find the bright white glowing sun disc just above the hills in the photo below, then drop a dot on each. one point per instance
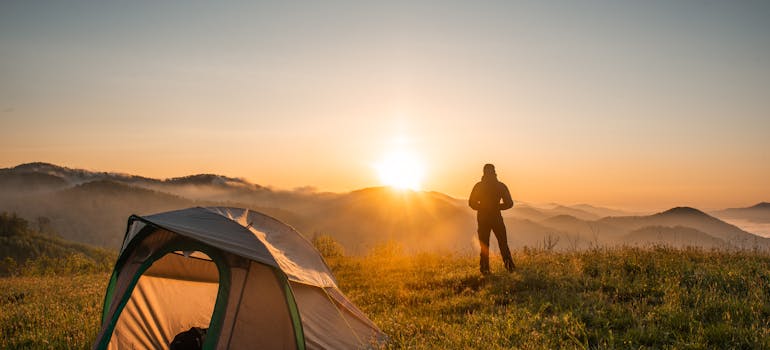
(401, 170)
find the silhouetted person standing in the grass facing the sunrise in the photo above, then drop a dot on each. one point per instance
(488, 198)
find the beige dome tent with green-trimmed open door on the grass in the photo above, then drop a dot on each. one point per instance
(251, 280)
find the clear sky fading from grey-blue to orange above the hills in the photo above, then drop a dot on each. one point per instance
(637, 105)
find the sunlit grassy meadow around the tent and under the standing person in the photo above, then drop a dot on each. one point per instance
(624, 298)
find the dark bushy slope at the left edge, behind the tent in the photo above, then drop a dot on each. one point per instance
(25, 250)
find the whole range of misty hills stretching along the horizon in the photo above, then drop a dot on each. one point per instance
(92, 207)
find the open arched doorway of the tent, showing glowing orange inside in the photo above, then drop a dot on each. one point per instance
(177, 292)
